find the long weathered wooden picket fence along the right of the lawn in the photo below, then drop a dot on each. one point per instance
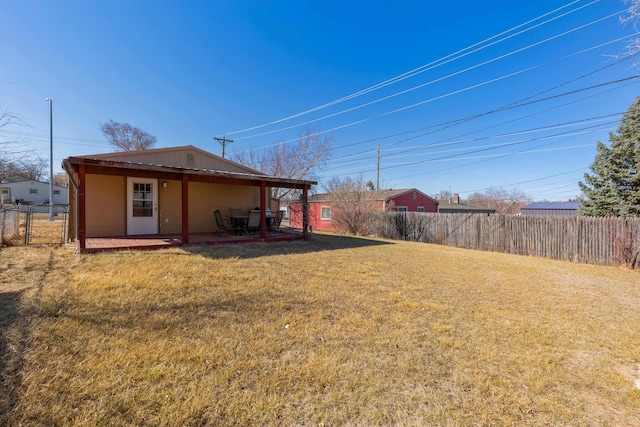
(602, 241)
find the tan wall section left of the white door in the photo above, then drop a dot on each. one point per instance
(106, 205)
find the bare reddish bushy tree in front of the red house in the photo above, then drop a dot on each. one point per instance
(353, 205)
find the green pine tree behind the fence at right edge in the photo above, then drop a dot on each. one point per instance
(613, 187)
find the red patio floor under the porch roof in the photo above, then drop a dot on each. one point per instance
(159, 241)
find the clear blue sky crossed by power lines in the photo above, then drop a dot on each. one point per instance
(512, 94)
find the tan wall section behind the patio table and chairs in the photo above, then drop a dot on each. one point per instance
(204, 198)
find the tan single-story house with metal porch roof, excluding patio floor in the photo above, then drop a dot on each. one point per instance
(163, 191)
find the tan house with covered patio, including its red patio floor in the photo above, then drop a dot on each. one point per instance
(177, 202)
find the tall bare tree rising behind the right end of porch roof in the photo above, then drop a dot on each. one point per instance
(295, 160)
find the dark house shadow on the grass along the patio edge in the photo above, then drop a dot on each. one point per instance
(317, 243)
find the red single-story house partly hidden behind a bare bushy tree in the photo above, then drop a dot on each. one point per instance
(320, 206)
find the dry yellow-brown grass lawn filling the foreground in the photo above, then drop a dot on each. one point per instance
(335, 331)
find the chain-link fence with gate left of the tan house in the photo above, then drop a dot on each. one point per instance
(34, 225)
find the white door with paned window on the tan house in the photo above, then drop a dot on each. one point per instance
(142, 206)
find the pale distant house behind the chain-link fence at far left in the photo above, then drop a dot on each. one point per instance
(31, 193)
